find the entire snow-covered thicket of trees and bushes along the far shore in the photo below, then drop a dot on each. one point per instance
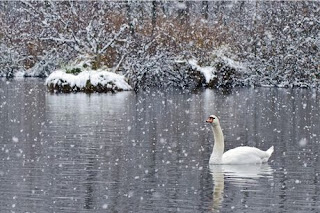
(276, 42)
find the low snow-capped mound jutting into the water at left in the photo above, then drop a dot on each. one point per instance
(87, 81)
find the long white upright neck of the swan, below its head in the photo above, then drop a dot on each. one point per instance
(218, 147)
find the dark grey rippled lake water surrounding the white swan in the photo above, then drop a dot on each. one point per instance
(149, 152)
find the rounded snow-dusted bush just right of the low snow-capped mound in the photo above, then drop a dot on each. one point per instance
(162, 71)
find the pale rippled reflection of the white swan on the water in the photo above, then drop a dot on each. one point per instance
(241, 175)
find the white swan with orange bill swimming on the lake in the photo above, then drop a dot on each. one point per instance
(238, 155)
